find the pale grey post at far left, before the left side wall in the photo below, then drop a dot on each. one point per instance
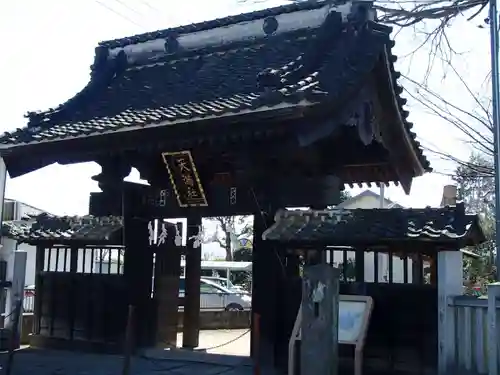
(16, 291)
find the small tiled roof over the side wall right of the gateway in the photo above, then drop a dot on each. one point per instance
(376, 226)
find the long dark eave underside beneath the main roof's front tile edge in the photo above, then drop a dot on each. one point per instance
(217, 132)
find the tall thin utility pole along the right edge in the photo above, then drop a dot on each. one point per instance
(496, 123)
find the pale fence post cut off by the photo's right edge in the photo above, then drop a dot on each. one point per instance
(493, 327)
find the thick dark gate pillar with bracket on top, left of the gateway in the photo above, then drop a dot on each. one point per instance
(126, 199)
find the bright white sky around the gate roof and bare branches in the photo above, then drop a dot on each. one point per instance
(48, 47)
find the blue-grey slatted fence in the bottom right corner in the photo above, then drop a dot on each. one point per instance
(476, 344)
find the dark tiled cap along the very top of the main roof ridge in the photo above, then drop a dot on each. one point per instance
(215, 23)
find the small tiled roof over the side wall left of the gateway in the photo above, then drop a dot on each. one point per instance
(45, 227)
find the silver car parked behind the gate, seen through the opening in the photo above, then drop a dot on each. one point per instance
(215, 296)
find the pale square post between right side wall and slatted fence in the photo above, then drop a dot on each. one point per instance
(450, 283)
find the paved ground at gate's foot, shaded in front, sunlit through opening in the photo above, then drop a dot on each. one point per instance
(50, 362)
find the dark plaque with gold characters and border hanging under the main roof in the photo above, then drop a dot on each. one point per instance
(184, 179)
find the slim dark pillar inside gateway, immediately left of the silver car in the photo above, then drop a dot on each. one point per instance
(191, 326)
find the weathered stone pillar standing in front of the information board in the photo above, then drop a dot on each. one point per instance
(320, 300)
